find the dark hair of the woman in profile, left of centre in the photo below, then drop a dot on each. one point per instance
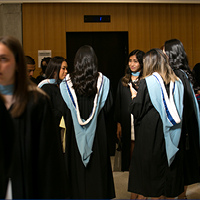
(53, 67)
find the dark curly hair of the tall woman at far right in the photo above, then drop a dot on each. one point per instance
(178, 58)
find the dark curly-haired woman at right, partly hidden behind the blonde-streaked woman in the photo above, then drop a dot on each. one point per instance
(178, 61)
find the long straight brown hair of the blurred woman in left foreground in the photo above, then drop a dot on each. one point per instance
(22, 81)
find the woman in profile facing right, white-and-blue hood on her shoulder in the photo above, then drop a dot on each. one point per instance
(56, 71)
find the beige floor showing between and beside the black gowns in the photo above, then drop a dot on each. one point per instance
(121, 184)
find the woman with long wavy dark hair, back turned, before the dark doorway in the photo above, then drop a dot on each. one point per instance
(88, 98)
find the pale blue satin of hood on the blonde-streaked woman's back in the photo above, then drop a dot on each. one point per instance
(172, 133)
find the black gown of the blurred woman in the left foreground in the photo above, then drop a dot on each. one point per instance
(38, 170)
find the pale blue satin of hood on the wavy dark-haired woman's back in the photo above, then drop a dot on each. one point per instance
(84, 133)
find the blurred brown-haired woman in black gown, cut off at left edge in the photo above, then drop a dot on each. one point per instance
(37, 167)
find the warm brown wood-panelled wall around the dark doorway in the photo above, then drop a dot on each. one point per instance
(148, 25)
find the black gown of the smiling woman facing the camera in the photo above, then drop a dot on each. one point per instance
(123, 116)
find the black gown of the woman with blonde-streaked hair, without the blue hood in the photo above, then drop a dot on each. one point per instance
(150, 174)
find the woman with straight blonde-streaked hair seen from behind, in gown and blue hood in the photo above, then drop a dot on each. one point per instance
(158, 108)
